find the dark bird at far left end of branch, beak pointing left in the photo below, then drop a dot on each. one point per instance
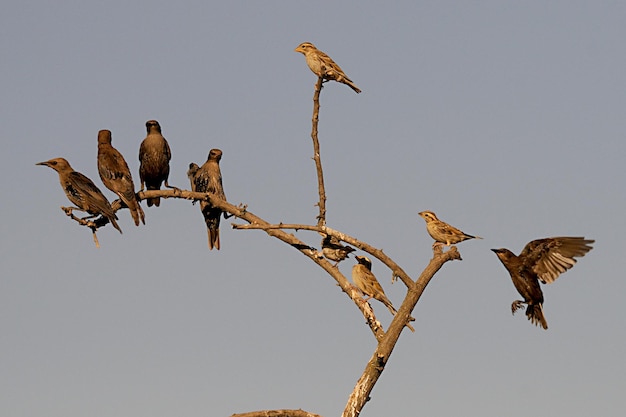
(81, 191)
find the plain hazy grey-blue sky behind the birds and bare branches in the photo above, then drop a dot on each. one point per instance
(505, 118)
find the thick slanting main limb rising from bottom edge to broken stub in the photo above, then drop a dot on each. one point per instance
(376, 365)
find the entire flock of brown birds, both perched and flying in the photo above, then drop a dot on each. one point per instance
(541, 260)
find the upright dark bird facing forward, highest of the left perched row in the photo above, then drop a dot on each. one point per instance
(154, 158)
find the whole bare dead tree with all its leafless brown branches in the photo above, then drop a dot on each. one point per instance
(386, 339)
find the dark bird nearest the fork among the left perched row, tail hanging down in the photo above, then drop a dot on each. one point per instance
(208, 179)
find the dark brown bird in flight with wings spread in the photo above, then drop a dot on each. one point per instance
(540, 260)
